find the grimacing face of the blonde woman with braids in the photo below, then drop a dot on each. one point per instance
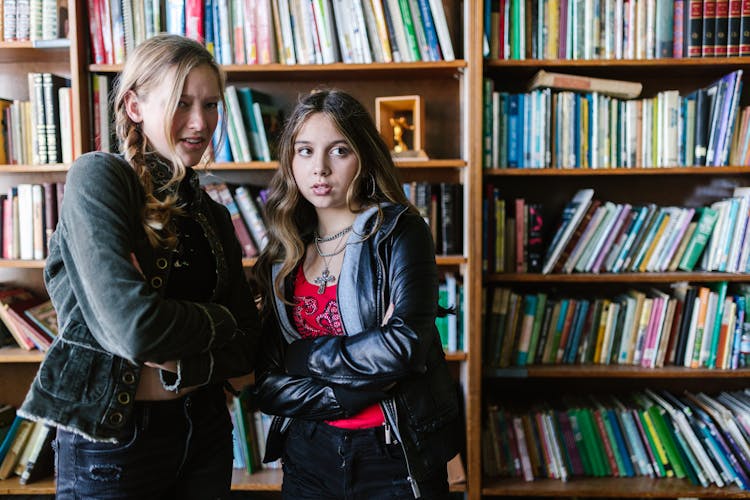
(194, 119)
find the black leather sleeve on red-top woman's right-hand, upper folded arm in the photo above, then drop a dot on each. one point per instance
(382, 355)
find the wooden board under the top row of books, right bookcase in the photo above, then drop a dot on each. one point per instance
(664, 64)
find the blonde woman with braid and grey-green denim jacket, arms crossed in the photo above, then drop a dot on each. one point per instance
(155, 313)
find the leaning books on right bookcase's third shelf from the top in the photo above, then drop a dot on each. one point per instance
(595, 236)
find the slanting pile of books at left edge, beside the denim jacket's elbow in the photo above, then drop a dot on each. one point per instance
(26, 320)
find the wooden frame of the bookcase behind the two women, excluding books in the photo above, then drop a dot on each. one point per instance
(448, 89)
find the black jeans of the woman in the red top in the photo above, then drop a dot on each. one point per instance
(325, 462)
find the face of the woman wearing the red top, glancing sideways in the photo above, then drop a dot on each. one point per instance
(324, 163)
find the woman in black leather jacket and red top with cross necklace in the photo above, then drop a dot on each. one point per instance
(351, 363)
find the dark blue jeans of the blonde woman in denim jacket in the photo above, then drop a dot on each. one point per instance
(179, 449)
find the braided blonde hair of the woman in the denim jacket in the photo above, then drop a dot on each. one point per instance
(161, 56)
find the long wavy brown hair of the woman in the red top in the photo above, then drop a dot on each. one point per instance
(291, 218)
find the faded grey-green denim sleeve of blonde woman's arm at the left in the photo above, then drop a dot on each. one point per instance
(99, 223)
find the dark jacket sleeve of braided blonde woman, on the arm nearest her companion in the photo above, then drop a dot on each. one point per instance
(237, 356)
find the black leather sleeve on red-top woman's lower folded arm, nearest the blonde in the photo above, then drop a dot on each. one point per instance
(279, 393)
